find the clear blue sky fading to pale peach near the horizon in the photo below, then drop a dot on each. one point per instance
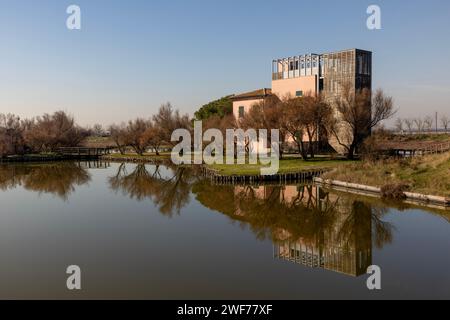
(131, 56)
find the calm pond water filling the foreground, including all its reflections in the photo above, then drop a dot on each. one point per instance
(156, 232)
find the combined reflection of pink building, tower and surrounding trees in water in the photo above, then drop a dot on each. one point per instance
(307, 224)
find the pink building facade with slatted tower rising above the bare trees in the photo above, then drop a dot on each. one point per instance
(313, 74)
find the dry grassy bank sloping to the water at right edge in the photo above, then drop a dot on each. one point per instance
(427, 175)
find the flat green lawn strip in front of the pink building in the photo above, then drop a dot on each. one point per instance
(287, 165)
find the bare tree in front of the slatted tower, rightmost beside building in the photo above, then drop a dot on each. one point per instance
(359, 112)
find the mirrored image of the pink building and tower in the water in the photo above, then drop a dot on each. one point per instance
(342, 244)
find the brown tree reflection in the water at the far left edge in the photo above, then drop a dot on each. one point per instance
(56, 178)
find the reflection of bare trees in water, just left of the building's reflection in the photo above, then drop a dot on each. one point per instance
(170, 193)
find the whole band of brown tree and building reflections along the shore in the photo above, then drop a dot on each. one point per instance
(307, 225)
